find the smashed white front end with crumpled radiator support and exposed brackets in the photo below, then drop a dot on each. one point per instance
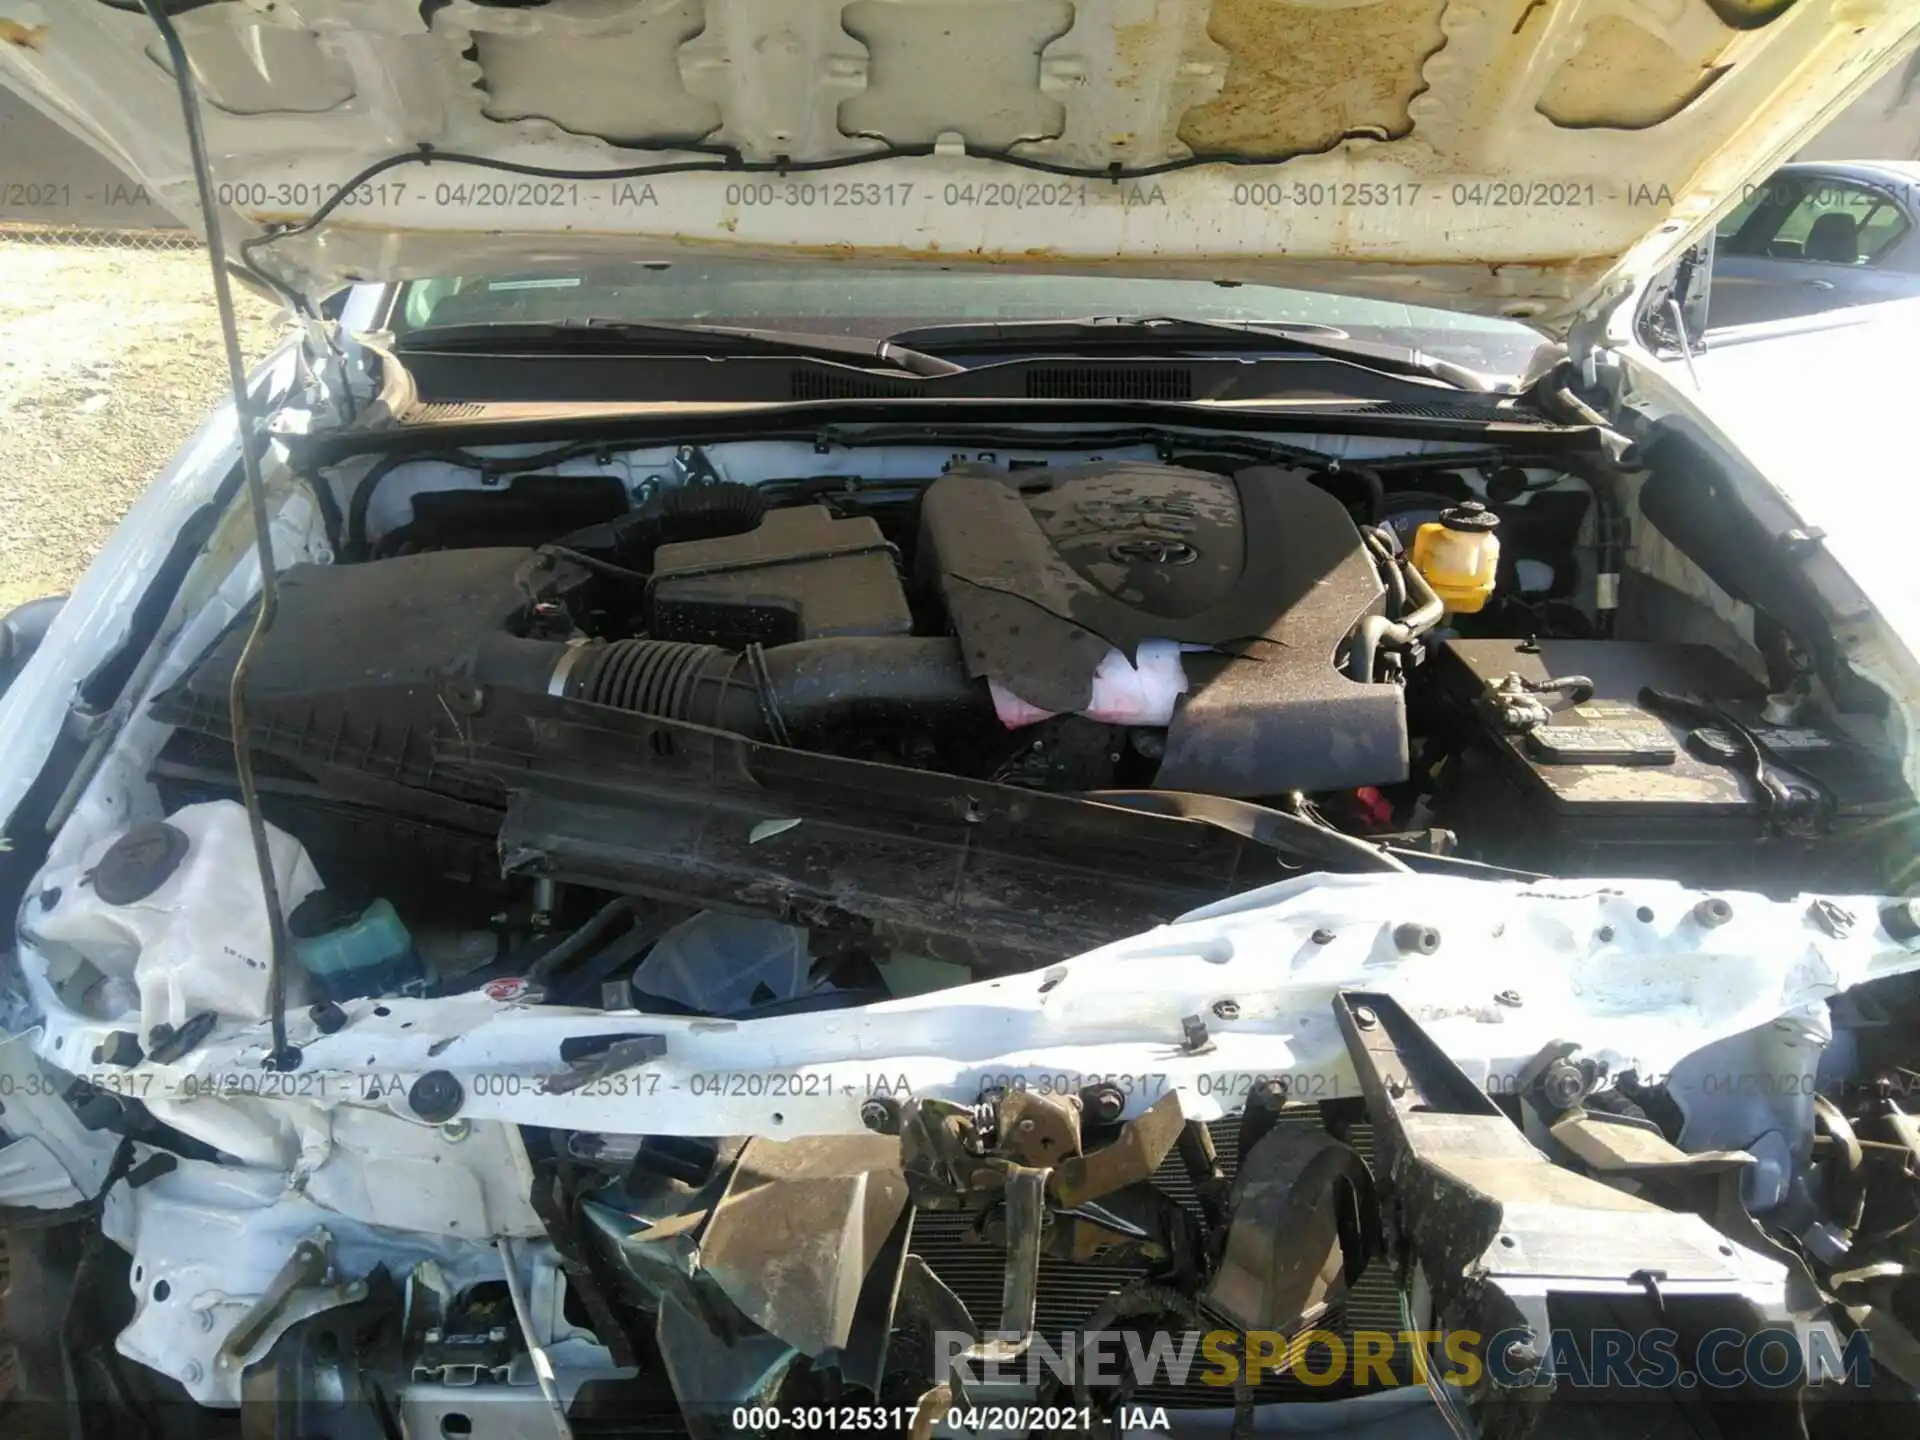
(1443, 1155)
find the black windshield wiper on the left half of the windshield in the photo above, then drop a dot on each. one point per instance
(602, 337)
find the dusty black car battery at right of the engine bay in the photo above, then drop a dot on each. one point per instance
(1610, 784)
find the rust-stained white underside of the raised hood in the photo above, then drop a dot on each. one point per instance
(1510, 158)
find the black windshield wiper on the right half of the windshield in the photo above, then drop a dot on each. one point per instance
(1161, 335)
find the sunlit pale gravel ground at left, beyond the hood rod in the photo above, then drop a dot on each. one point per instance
(110, 358)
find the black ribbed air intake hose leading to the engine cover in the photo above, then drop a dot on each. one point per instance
(802, 692)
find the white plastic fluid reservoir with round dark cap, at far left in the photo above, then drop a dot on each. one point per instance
(176, 909)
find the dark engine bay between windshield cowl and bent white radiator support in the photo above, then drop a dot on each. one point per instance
(997, 713)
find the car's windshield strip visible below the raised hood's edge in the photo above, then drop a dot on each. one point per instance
(873, 304)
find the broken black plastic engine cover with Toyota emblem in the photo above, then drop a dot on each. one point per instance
(1262, 573)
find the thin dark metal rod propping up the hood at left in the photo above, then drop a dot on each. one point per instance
(283, 1057)
